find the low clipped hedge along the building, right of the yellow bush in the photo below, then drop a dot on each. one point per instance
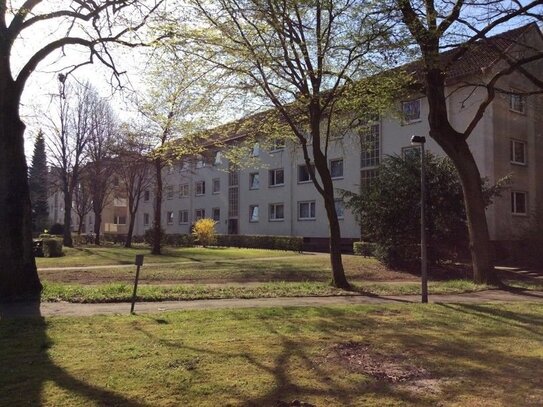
(293, 243)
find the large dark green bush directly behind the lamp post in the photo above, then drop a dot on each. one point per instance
(389, 210)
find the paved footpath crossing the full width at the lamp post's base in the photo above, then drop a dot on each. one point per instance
(47, 309)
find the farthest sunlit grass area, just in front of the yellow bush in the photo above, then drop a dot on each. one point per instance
(112, 255)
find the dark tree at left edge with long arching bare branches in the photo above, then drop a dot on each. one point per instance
(92, 25)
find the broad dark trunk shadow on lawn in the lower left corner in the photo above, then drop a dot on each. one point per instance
(25, 364)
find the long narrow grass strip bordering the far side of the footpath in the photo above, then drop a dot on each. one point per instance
(123, 292)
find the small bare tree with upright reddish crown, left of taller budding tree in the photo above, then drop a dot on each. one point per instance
(134, 169)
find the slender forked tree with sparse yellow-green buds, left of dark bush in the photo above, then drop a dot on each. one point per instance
(301, 57)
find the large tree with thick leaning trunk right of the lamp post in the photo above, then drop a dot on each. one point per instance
(465, 27)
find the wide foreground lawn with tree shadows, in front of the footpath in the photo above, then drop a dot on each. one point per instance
(393, 355)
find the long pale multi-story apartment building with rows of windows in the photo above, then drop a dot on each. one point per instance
(276, 197)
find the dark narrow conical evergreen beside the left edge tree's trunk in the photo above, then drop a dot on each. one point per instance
(38, 184)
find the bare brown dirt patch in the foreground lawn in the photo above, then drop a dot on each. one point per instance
(391, 368)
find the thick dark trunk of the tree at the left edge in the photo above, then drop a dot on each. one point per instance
(18, 274)
